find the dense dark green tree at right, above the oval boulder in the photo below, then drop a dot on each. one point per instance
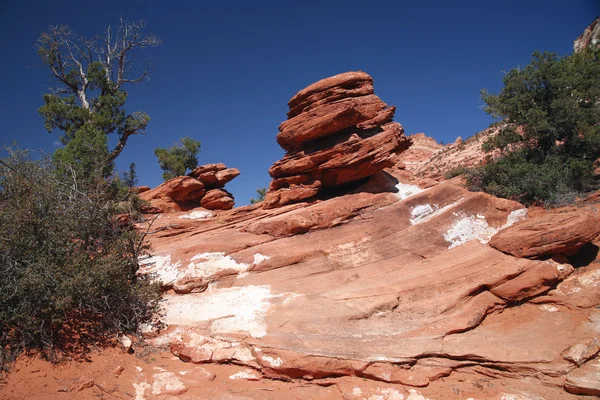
(556, 101)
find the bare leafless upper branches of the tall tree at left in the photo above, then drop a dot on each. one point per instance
(92, 67)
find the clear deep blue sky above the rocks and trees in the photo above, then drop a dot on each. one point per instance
(226, 69)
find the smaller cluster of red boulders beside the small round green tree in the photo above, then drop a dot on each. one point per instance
(203, 187)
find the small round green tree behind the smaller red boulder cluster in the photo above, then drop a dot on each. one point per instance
(178, 158)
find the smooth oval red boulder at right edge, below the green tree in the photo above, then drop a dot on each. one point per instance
(547, 234)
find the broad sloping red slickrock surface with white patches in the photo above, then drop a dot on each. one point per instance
(400, 289)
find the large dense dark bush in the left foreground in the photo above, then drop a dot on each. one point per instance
(68, 265)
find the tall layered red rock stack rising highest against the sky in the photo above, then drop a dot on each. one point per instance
(337, 132)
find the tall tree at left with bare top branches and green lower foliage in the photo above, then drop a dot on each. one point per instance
(87, 102)
